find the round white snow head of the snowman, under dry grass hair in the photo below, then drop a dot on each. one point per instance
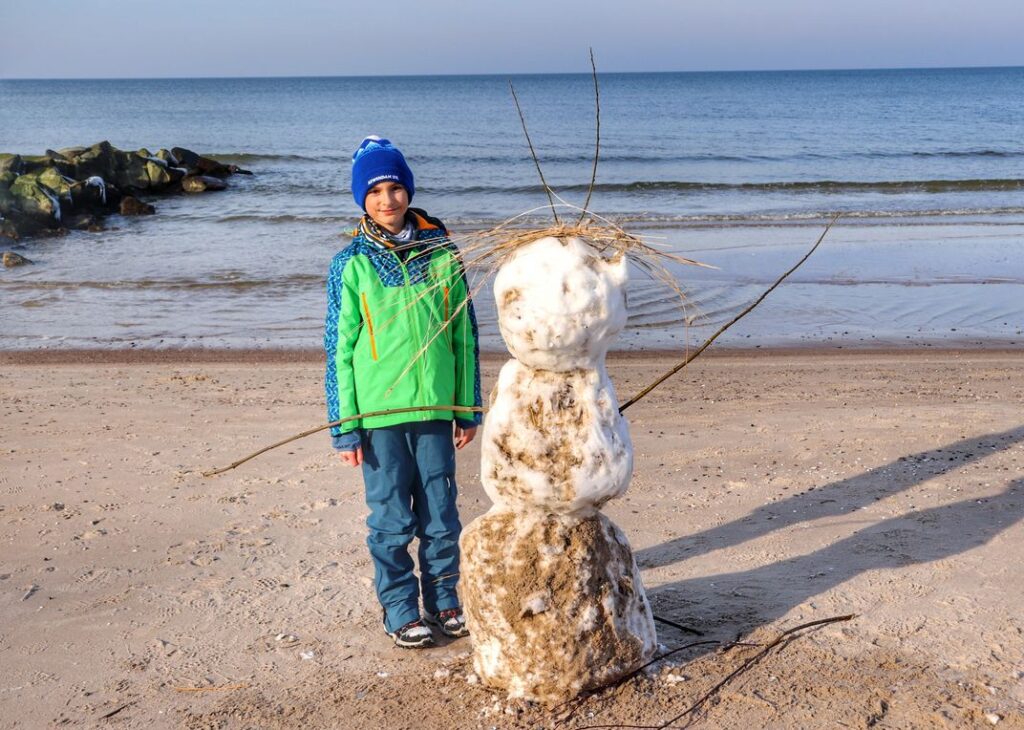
(561, 304)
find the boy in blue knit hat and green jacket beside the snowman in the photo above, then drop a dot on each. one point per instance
(401, 332)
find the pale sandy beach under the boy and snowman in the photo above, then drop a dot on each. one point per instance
(771, 489)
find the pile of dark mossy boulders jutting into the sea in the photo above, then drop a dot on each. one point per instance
(49, 194)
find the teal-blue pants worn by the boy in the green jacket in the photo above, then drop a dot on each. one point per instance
(409, 473)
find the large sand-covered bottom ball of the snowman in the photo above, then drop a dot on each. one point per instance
(554, 604)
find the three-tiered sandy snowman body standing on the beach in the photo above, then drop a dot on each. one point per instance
(552, 593)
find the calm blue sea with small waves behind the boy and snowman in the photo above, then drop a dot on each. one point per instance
(740, 171)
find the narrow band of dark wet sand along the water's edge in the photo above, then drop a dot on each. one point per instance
(203, 356)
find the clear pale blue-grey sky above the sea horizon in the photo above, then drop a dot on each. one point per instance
(186, 38)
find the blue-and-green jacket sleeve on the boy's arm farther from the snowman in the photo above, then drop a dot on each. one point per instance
(342, 329)
